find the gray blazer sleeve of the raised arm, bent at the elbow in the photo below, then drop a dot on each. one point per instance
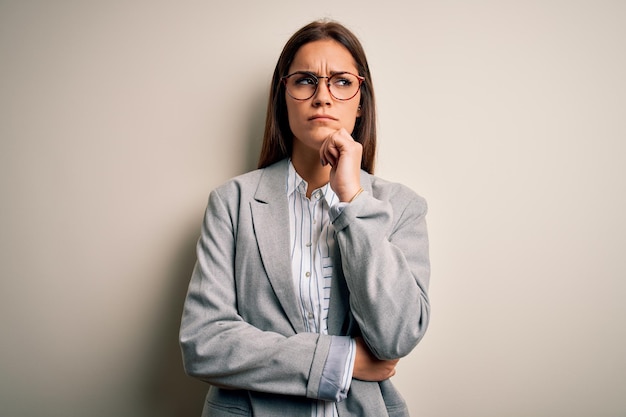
(384, 253)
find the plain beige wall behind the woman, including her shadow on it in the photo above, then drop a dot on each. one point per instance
(118, 117)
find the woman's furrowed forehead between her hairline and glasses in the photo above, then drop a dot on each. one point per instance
(326, 54)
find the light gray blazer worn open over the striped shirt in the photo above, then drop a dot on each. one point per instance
(241, 328)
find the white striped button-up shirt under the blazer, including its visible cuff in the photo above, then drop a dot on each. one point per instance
(312, 240)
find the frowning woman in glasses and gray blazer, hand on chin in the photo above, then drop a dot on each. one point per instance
(312, 274)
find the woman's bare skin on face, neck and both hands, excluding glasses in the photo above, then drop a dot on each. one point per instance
(324, 151)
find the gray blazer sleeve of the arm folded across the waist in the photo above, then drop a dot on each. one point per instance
(221, 348)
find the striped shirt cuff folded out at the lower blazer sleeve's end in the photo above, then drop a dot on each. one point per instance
(337, 373)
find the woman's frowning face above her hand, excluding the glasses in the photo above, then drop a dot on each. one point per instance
(313, 120)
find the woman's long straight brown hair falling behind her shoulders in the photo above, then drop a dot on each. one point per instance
(278, 138)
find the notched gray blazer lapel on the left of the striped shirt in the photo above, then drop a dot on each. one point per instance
(270, 217)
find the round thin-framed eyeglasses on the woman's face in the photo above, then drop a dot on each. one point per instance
(302, 85)
